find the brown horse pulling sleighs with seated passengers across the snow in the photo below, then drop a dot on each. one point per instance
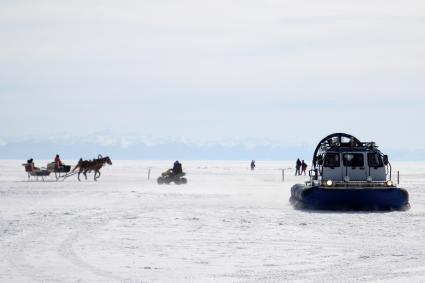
(62, 171)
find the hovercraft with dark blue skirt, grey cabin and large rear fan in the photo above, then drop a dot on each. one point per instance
(348, 174)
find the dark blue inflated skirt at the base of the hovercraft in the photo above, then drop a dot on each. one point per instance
(367, 199)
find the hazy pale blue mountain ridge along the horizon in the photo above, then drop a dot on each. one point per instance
(166, 149)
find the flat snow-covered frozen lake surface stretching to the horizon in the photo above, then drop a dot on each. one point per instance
(228, 224)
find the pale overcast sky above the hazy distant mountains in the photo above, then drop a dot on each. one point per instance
(291, 71)
